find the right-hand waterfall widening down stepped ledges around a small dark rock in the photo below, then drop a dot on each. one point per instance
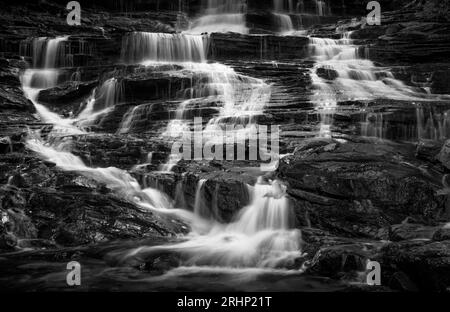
(340, 75)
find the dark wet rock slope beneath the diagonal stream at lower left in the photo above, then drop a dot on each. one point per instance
(70, 209)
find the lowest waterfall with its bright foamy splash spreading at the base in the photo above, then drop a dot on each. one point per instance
(262, 236)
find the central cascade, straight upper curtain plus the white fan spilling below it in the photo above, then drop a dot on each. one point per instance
(242, 98)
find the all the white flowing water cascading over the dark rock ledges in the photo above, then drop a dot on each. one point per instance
(262, 236)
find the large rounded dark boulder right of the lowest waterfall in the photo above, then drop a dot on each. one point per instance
(358, 189)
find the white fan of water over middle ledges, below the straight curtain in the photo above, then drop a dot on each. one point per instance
(241, 99)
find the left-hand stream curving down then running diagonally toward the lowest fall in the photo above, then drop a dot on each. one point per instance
(121, 182)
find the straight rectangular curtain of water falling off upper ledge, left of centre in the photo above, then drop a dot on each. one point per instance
(138, 47)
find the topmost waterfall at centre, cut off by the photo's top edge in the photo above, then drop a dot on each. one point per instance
(221, 16)
